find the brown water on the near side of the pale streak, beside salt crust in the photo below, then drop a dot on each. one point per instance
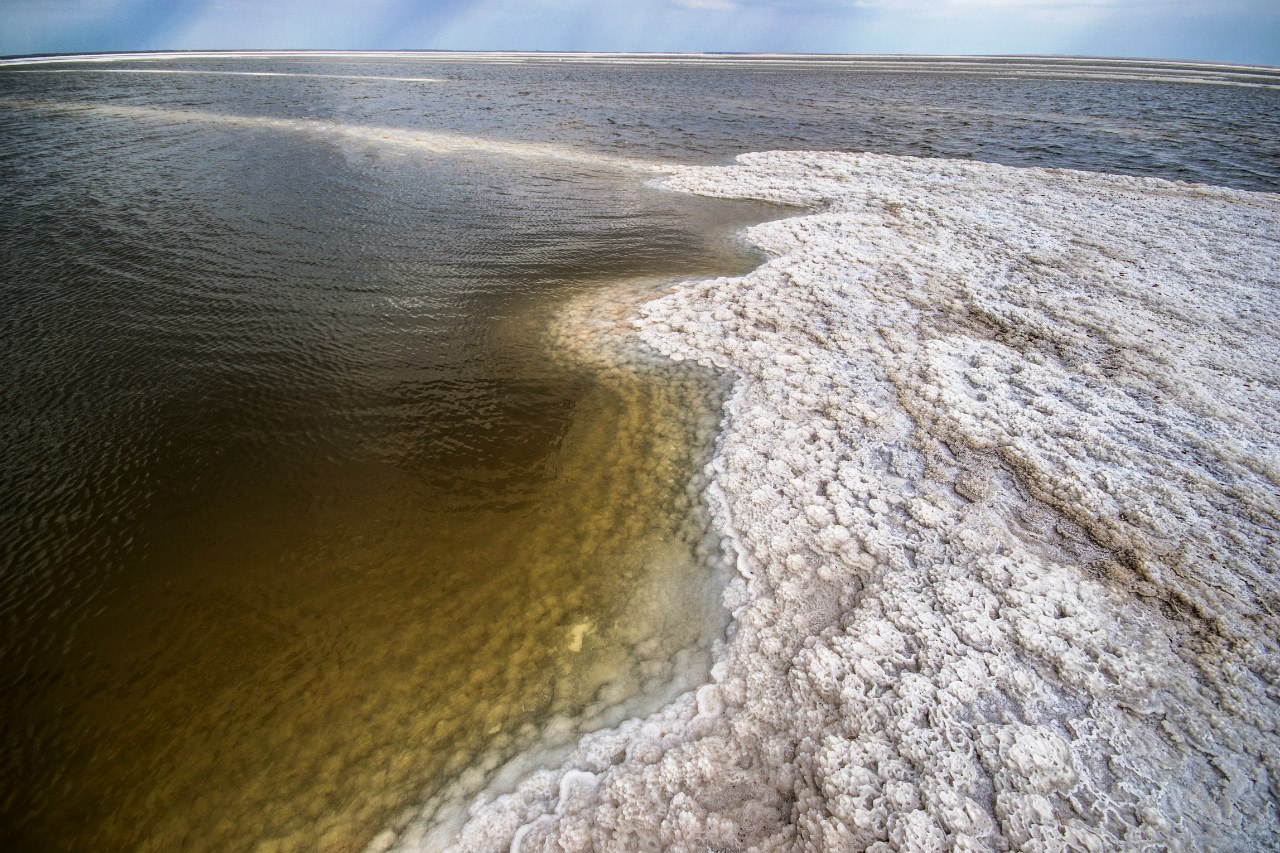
(310, 496)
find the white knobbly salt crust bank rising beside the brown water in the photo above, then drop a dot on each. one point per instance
(1000, 476)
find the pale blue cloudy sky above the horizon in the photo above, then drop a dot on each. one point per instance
(1242, 31)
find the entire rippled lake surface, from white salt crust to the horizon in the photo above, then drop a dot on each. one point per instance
(318, 490)
